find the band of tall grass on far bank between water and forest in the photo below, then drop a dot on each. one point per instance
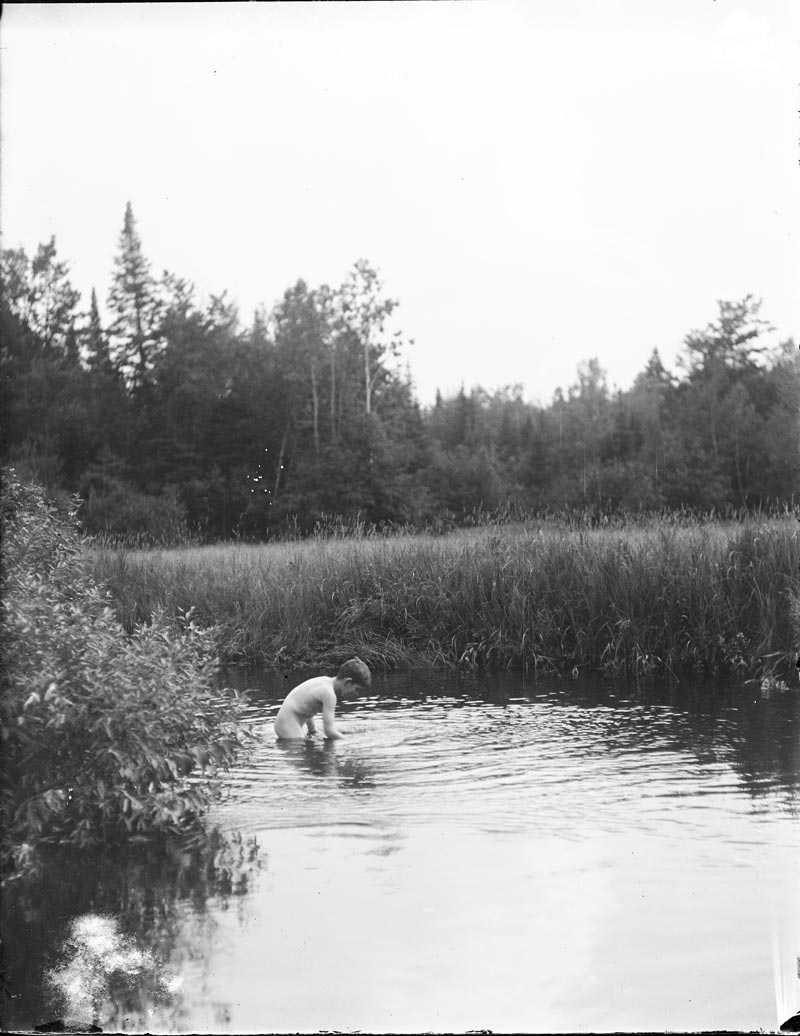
(652, 598)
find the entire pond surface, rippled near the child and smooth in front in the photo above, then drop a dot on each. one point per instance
(476, 854)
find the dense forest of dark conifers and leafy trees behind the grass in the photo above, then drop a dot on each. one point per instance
(177, 416)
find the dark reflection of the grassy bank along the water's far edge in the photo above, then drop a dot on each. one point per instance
(736, 726)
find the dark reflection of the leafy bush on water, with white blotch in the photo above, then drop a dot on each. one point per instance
(155, 901)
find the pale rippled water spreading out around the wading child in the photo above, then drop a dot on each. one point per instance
(548, 766)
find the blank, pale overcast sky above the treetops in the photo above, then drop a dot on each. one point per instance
(538, 183)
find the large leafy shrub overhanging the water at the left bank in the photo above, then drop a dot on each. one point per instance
(101, 731)
